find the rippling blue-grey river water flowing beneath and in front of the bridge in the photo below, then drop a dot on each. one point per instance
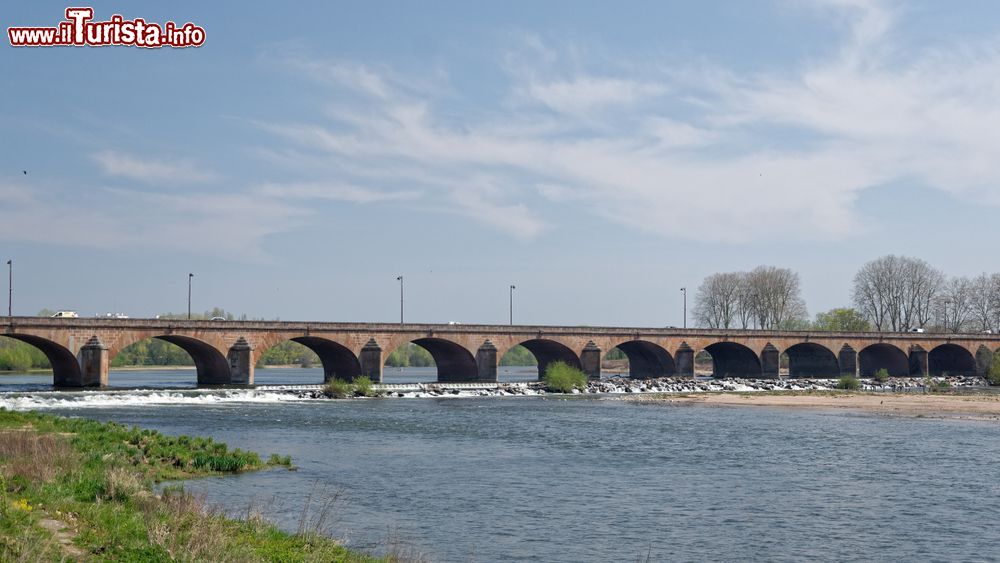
(586, 479)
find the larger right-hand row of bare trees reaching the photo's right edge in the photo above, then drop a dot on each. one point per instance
(898, 293)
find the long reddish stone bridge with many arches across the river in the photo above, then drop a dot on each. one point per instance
(224, 352)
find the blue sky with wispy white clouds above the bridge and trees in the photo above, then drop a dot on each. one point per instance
(599, 157)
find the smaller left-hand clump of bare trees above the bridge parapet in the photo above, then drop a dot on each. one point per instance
(765, 297)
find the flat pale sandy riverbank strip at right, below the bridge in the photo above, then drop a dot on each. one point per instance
(972, 407)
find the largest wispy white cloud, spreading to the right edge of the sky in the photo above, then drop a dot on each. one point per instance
(700, 153)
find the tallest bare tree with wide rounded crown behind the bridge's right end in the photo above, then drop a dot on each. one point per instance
(897, 292)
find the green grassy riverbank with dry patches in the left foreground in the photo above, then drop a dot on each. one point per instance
(78, 489)
